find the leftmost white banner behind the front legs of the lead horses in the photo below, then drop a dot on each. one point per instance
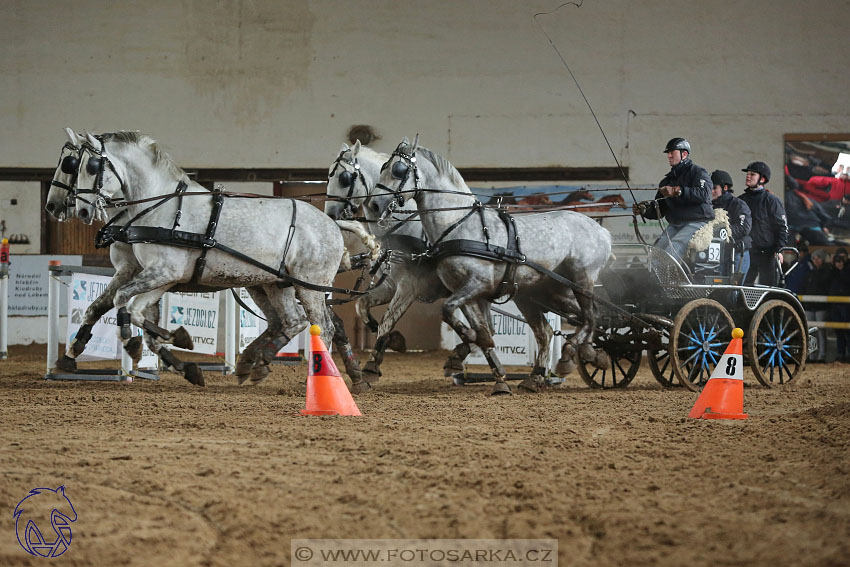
(104, 344)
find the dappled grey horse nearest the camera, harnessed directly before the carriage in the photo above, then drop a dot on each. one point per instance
(482, 255)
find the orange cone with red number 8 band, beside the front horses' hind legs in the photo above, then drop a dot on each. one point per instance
(327, 393)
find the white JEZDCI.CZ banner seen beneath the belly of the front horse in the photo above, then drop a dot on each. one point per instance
(198, 314)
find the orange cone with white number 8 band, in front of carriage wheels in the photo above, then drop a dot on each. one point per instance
(723, 395)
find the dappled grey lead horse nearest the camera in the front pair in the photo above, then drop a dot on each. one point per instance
(185, 237)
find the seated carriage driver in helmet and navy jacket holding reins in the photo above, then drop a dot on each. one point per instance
(683, 198)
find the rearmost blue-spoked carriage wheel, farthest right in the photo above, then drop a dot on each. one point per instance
(777, 343)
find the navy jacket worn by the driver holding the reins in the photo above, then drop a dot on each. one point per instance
(694, 204)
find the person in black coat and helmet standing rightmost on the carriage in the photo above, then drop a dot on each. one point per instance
(770, 226)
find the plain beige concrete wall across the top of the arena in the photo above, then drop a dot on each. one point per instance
(278, 83)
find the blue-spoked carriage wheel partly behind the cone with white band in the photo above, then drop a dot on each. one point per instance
(701, 332)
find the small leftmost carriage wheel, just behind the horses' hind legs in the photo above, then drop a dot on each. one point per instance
(625, 361)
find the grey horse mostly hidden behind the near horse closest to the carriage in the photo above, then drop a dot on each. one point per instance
(402, 280)
